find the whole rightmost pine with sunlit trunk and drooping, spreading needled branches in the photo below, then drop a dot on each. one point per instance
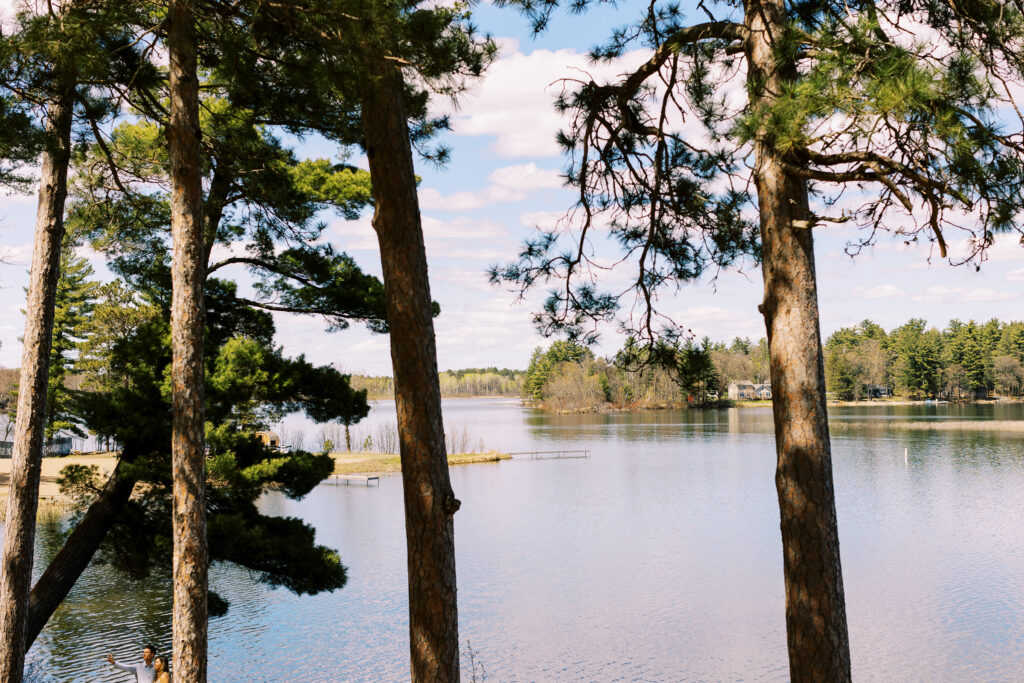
(837, 97)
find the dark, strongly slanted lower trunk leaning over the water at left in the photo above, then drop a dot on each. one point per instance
(77, 552)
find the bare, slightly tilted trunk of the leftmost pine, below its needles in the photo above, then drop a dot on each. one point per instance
(16, 574)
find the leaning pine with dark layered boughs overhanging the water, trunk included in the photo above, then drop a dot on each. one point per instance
(261, 198)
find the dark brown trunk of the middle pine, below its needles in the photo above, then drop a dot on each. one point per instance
(431, 504)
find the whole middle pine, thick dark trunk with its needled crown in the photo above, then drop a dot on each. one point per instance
(368, 66)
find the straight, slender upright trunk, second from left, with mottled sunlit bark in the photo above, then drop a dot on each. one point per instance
(188, 443)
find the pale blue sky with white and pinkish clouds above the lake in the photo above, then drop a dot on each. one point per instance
(505, 179)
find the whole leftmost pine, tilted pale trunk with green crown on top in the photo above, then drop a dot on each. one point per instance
(58, 61)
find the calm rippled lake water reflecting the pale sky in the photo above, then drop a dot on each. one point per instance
(658, 559)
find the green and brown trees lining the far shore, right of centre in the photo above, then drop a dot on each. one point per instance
(962, 362)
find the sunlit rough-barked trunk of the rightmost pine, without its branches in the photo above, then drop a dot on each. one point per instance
(816, 609)
